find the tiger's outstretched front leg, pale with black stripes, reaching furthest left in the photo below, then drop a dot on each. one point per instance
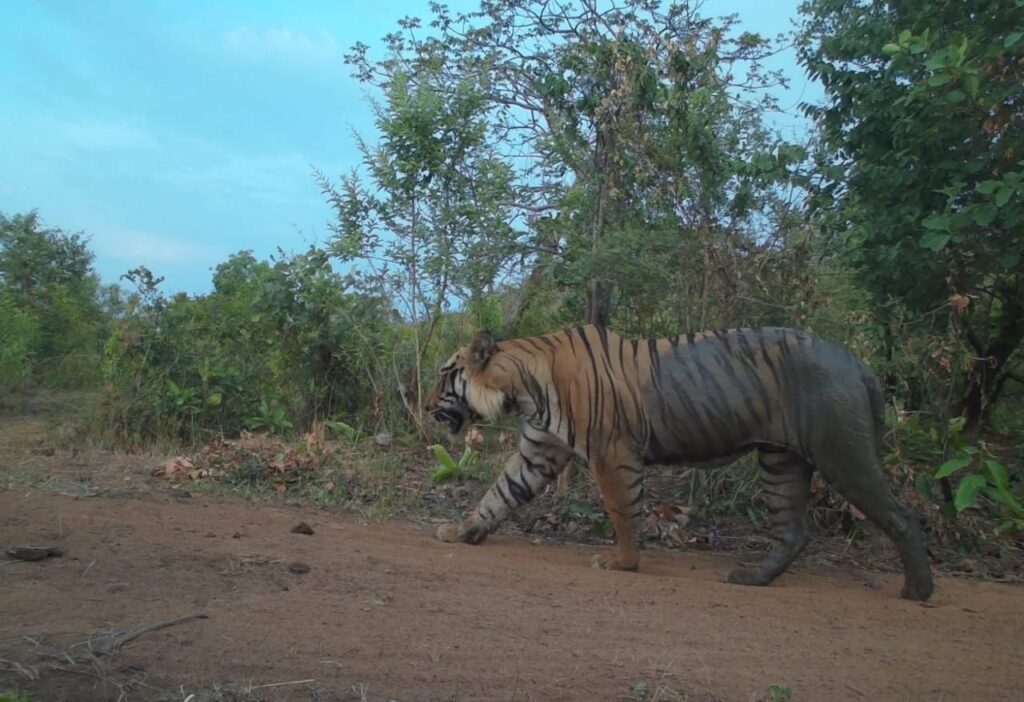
(525, 475)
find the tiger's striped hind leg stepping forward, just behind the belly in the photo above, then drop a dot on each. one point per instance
(787, 484)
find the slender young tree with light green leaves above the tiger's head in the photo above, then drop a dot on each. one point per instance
(431, 221)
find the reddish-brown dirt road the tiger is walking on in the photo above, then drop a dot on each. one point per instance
(388, 612)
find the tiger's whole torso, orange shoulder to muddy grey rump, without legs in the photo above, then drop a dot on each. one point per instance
(702, 399)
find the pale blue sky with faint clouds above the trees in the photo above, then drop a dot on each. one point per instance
(177, 134)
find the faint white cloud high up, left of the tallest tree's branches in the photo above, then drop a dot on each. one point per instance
(282, 46)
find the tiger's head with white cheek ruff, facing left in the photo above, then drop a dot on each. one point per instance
(465, 391)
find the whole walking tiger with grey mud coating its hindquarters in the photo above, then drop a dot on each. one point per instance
(700, 401)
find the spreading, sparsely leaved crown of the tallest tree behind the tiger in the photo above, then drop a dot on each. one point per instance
(622, 121)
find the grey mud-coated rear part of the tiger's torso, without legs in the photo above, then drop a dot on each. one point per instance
(722, 393)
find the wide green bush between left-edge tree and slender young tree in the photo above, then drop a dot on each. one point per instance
(275, 347)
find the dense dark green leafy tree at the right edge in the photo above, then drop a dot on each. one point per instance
(925, 115)
